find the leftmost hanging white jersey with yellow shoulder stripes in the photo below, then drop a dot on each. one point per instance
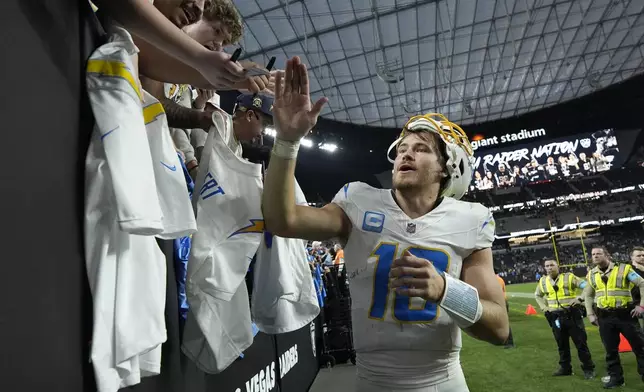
(125, 206)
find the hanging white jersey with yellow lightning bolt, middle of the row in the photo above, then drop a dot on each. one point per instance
(230, 227)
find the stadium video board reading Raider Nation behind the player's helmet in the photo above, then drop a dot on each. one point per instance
(546, 160)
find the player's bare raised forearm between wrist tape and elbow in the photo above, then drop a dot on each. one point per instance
(278, 198)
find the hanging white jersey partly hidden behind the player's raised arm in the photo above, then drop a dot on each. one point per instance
(284, 297)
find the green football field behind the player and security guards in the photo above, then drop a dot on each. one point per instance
(528, 367)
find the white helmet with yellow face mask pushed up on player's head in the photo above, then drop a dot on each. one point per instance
(459, 152)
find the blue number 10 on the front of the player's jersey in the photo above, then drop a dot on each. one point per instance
(386, 253)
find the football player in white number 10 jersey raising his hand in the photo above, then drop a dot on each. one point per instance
(421, 260)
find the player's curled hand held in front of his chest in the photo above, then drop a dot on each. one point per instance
(416, 277)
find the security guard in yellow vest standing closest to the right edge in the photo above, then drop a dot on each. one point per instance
(609, 288)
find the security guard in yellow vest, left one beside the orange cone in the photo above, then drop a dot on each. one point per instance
(556, 295)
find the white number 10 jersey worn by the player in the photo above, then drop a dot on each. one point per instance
(404, 342)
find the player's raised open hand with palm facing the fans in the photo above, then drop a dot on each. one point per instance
(293, 114)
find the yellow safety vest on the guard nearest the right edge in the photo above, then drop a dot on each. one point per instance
(616, 292)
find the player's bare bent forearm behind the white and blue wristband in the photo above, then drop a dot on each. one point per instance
(493, 326)
